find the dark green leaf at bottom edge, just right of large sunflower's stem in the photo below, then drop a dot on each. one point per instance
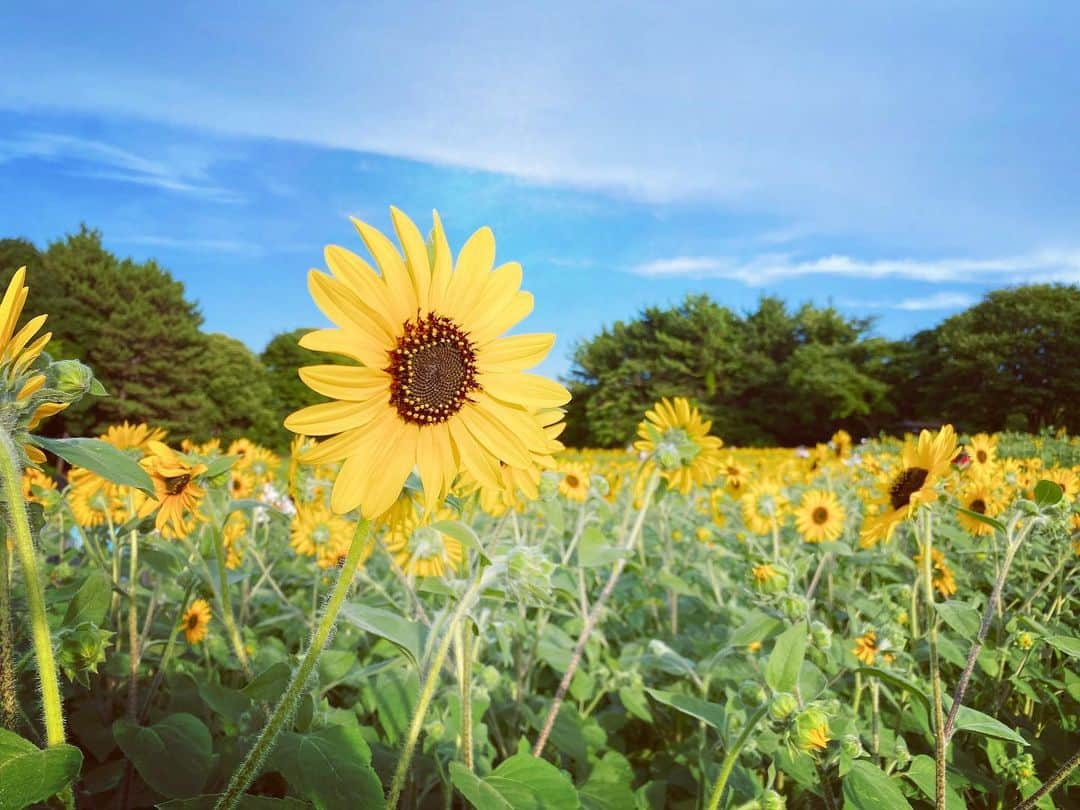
(331, 767)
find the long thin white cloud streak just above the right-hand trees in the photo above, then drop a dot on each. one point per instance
(1043, 266)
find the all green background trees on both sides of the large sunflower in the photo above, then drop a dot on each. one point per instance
(772, 376)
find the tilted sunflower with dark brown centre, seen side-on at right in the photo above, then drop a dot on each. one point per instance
(924, 463)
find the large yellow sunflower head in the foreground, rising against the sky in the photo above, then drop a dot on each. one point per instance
(437, 386)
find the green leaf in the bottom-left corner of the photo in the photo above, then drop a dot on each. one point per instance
(30, 776)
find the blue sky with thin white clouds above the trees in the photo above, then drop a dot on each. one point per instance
(893, 160)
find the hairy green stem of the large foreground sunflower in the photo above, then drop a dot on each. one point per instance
(253, 763)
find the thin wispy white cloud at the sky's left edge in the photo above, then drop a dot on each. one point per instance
(100, 160)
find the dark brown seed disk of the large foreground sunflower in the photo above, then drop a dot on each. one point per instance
(433, 371)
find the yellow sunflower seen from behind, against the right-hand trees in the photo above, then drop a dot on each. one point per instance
(677, 440)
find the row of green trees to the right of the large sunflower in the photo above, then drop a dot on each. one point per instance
(777, 376)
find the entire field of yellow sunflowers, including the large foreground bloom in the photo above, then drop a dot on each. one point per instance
(431, 603)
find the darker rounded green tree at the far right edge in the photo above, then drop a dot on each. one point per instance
(1014, 357)
